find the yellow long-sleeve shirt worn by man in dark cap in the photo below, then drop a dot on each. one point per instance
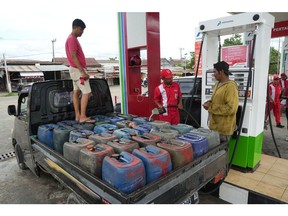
(223, 108)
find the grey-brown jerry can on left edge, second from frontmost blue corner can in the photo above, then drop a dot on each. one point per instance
(71, 150)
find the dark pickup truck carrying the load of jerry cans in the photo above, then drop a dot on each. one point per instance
(50, 102)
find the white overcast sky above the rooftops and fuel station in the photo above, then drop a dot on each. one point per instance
(28, 27)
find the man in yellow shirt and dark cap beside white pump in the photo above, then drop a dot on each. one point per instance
(223, 105)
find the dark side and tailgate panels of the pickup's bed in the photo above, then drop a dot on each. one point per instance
(174, 187)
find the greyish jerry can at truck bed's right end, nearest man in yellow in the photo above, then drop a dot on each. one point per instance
(212, 136)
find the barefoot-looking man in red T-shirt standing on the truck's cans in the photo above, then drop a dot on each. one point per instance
(77, 70)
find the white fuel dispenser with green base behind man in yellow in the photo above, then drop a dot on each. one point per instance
(248, 152)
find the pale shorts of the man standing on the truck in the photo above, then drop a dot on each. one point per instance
(75, 75)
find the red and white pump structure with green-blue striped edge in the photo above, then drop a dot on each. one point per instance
(139, 36)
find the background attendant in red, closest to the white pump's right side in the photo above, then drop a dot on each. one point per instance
(274, 90)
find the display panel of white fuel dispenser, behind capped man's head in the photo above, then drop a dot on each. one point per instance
(239, 75)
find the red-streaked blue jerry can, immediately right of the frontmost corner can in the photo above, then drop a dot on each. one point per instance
(157, 162)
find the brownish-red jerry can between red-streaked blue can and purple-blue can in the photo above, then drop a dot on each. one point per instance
(181, 152)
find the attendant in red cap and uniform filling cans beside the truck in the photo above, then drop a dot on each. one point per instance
(169, 96)
